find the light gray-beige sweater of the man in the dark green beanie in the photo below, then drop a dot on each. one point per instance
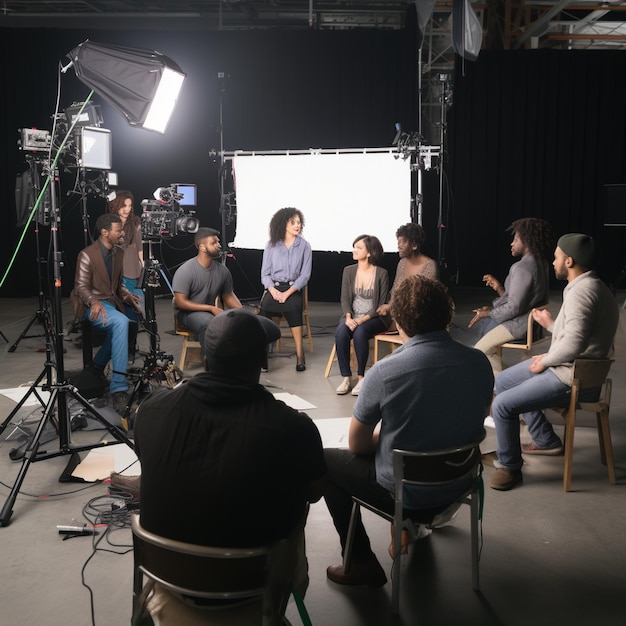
(585, 326)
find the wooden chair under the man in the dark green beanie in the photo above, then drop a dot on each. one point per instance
(588, 374)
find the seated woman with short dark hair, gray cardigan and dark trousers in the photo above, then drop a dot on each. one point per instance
(364, 287)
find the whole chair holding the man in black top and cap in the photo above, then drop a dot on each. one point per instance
(230, 577)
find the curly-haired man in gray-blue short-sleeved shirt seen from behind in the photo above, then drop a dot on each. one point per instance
(431, 393)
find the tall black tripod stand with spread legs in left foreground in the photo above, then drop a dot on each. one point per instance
(60, 389)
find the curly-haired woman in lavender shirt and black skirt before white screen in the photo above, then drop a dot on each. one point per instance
(285, 271)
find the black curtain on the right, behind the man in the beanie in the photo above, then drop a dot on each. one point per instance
(536, 133)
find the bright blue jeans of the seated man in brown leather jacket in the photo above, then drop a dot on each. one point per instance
(115, 344)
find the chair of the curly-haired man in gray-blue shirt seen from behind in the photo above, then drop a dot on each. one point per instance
(436, 468)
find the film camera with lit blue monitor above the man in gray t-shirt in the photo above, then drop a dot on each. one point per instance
(169, 215)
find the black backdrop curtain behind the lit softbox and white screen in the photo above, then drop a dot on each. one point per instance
(282, 90)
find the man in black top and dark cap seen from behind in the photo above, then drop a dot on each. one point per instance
(223, 463)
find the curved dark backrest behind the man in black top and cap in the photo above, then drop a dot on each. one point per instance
(200, 571)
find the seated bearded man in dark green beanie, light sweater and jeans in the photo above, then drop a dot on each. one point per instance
(584, 328)
